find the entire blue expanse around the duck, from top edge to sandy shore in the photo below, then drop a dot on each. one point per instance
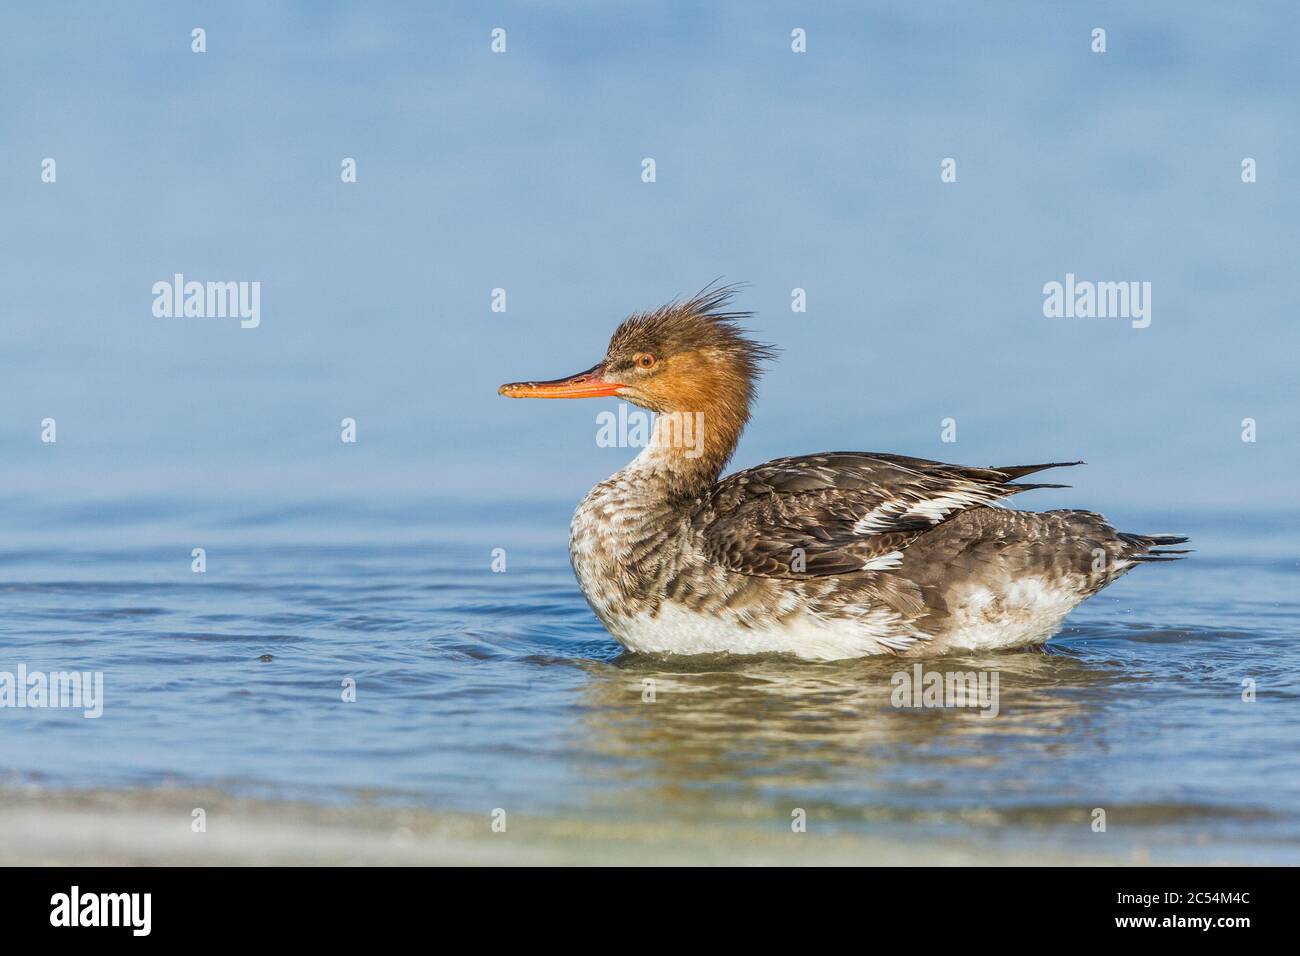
(821, 171)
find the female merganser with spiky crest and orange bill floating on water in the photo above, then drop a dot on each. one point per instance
(826, 557)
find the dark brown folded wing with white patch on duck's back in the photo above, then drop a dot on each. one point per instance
(840, 513)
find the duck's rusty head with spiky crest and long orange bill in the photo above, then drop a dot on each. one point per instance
(687, 357)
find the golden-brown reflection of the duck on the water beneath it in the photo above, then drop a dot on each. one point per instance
(765, 732)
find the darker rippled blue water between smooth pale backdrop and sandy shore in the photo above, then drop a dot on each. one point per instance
(478, 690)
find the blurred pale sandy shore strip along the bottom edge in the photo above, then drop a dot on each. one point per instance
(154, 828)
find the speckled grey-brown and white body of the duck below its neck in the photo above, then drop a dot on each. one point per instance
(725, 568)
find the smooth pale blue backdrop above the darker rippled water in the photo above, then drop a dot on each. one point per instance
(523, 171)
